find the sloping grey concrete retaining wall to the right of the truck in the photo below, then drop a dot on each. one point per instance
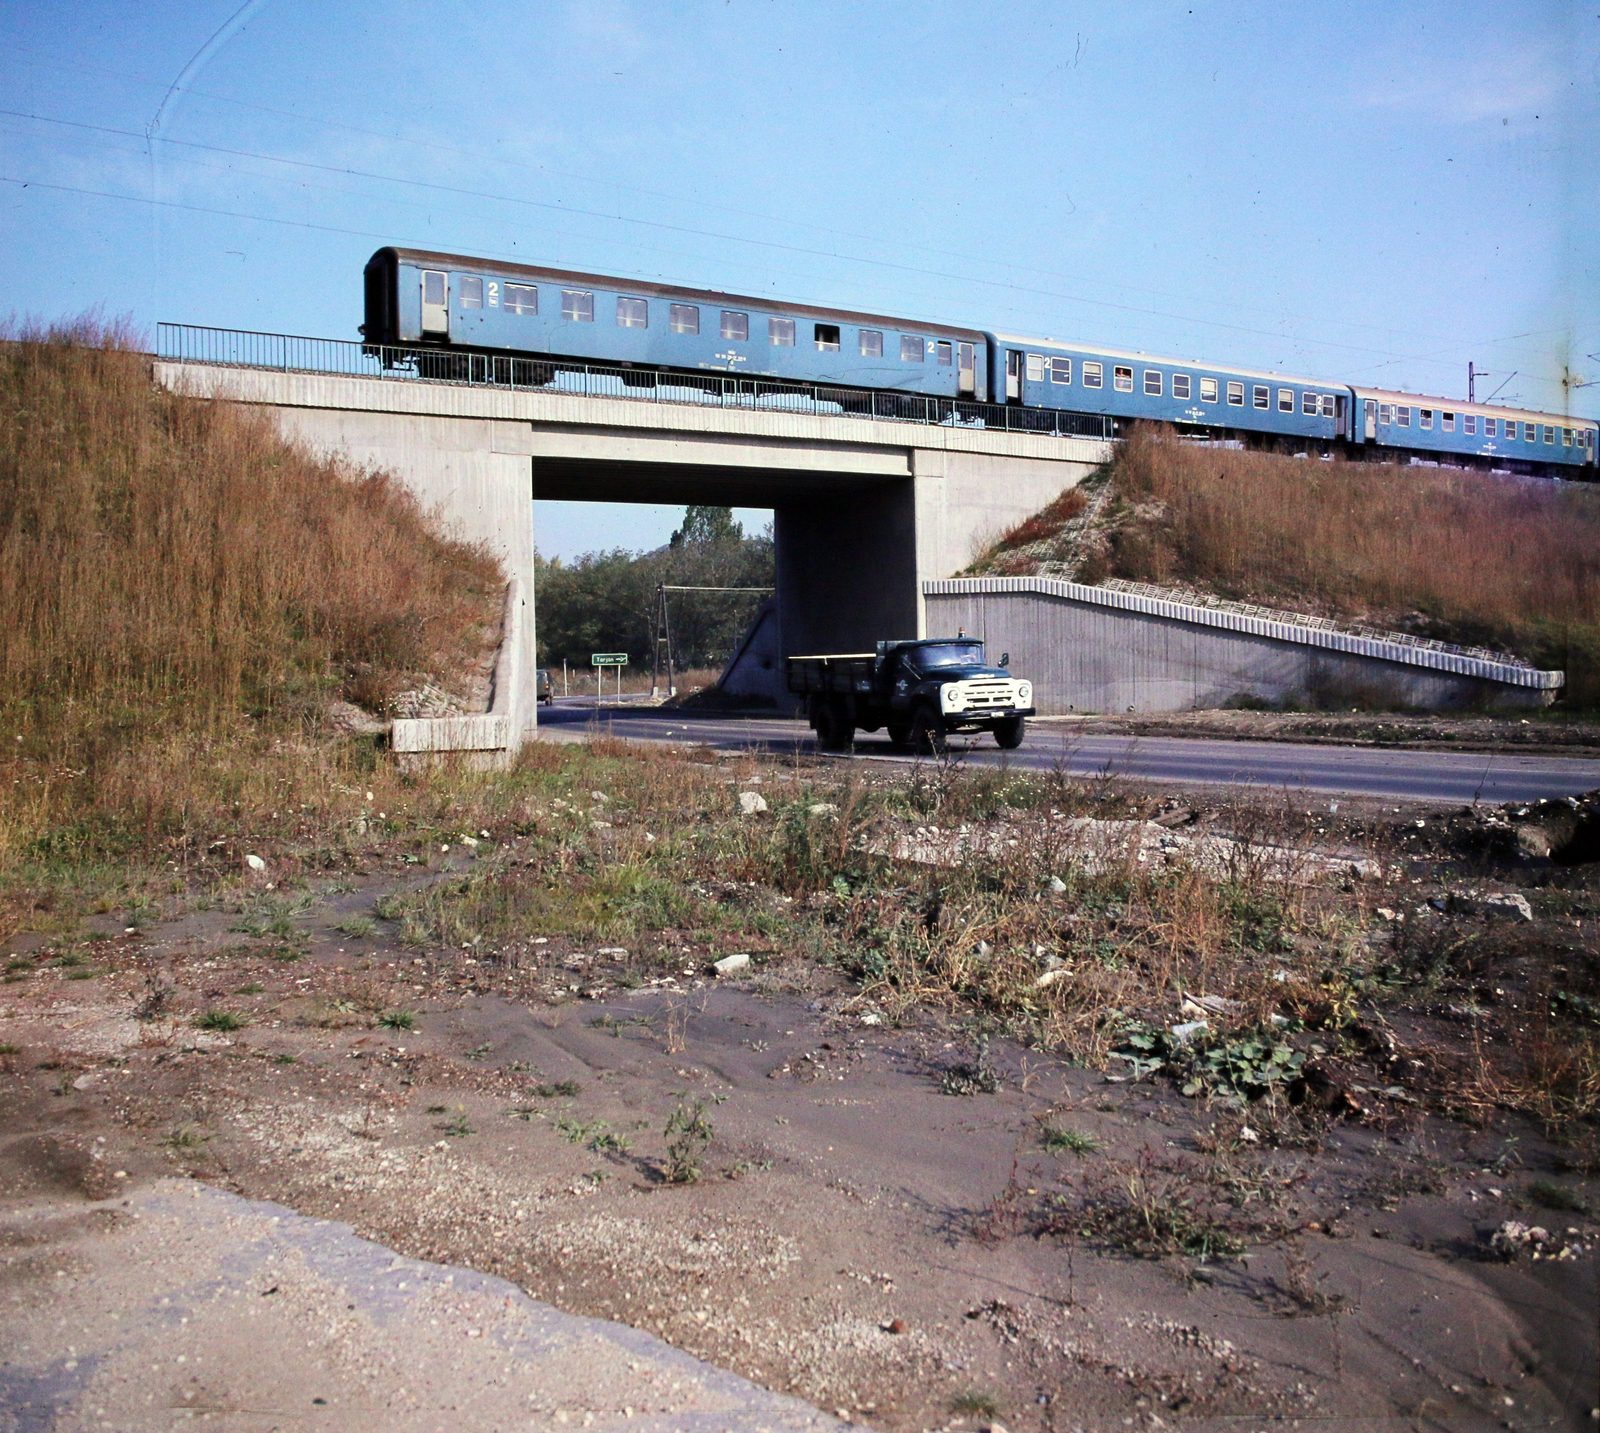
(1095, 650)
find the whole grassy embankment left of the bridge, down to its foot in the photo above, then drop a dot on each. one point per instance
(182, 594)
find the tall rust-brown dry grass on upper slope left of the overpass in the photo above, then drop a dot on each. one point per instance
(174, 562)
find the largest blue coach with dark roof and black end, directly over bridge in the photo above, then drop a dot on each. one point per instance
(423, 298)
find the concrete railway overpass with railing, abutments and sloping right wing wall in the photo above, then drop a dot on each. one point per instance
(873, 511)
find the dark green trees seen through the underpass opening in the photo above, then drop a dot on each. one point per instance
(609, 602)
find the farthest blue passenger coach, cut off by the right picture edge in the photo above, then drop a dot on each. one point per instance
(1436, 428)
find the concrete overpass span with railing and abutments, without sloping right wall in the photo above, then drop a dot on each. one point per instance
(868, 511)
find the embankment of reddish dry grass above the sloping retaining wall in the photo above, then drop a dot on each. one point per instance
(1447, 554)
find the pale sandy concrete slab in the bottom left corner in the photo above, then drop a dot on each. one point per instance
(193, 1304)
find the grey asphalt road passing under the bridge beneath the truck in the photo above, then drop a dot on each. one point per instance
(1449, 778)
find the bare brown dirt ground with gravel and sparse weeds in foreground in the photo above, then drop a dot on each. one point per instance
(897, 1219)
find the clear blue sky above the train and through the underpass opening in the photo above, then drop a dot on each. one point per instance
(1364, 193)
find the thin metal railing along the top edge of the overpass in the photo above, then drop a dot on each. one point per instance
(185, 343)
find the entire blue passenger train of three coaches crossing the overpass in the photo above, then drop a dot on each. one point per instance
(535, 322)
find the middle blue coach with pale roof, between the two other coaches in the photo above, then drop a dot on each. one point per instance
(1046, 373)
